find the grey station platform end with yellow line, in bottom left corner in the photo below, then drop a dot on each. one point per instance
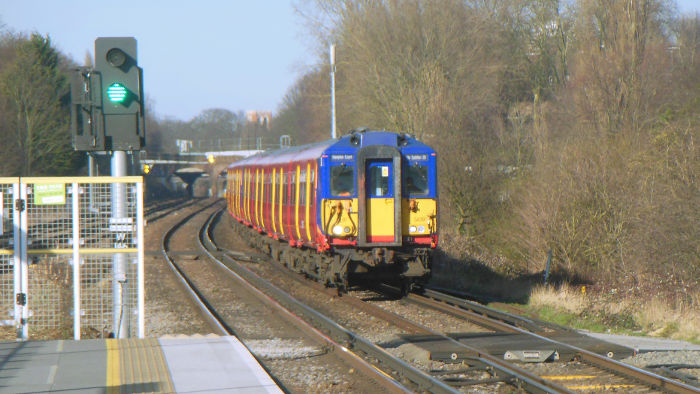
(163, 365)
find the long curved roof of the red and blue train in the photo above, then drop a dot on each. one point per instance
(351, 141)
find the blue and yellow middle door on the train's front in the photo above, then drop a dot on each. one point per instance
(380, 201)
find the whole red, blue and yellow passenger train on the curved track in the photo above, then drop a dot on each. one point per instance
(361, 207)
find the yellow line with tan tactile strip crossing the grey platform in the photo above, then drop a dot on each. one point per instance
(137, 365)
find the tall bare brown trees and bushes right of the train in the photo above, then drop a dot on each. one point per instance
(563, 128)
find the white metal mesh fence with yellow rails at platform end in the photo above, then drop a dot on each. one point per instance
(70, 262)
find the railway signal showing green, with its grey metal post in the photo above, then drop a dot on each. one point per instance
(108, 116)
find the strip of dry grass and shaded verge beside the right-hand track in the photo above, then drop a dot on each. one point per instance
(662, 309)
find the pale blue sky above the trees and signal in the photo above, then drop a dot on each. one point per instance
(232, 54)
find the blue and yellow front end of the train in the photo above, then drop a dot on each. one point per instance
(384, 202)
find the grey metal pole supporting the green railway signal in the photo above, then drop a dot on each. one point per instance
(119, 259)
